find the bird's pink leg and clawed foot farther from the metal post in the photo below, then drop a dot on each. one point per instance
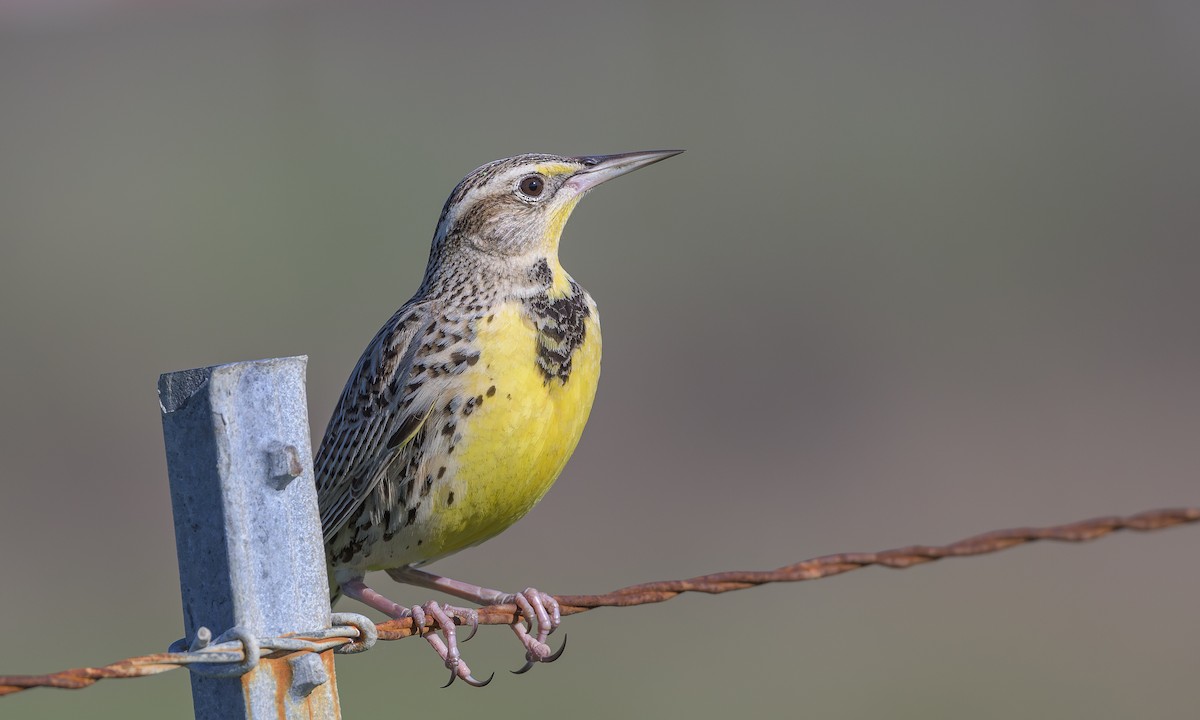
(541, 610)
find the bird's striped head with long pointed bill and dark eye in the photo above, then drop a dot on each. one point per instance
(515, 209)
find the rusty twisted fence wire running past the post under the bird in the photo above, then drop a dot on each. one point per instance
(236, 652)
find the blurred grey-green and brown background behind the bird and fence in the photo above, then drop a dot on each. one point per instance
(927, 269)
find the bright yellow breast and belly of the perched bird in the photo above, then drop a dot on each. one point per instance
(519, 436)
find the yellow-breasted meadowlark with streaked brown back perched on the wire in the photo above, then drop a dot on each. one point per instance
(469, 403)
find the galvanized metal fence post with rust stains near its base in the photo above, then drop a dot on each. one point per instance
(248, 531)
